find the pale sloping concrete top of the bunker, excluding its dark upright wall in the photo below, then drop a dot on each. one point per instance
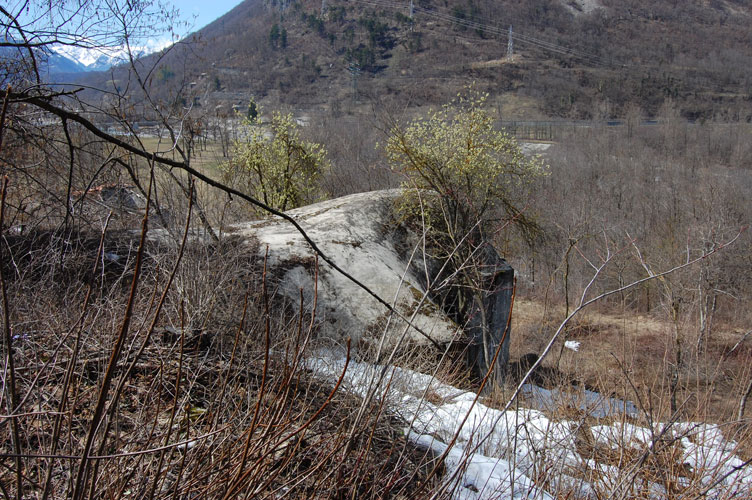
(359, 234)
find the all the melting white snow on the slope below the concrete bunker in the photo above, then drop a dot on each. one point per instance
(497, 453)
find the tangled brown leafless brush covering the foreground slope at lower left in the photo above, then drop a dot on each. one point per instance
(204, 394)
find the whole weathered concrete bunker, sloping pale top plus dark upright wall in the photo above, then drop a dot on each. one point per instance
(359, 233)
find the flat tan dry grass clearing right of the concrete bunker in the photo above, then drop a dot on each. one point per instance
(629, 355)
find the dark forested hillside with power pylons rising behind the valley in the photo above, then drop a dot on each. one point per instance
(571, 58)
